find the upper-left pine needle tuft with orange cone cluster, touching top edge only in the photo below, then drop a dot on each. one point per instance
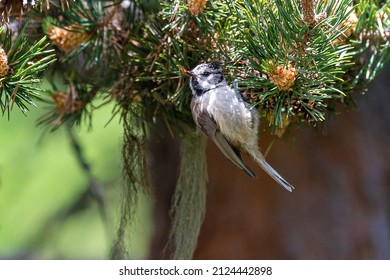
(93, 30)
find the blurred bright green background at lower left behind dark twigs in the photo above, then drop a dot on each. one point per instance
(40, 179)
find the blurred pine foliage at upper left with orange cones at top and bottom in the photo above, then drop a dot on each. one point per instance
(89, 36)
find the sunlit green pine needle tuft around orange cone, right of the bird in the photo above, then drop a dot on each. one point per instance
(287, 69)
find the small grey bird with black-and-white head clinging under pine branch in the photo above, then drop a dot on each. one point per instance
(222, 114)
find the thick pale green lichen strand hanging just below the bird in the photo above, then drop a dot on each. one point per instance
(189, 199)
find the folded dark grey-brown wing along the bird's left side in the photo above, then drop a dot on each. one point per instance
(209, 127)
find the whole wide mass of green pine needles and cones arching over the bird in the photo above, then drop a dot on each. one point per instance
(292, 60)
